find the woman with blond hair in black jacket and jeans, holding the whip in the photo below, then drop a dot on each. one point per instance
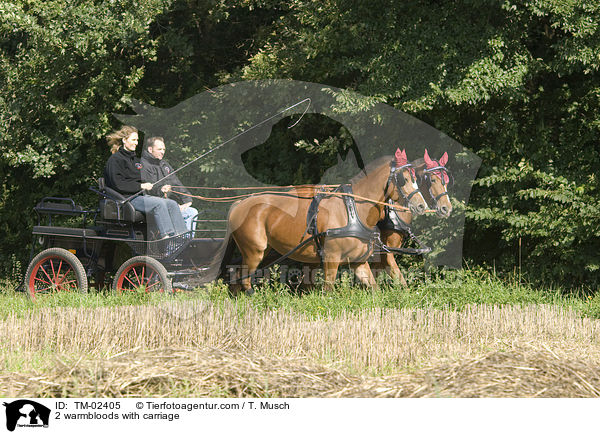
(123, 173)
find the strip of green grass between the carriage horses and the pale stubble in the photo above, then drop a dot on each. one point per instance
(447, 289)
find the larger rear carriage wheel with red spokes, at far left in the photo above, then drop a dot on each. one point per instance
(54, 270)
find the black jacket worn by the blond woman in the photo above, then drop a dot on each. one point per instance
(123, 172)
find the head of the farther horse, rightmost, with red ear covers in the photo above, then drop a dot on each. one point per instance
(434, 178)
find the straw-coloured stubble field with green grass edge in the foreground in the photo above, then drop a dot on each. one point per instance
(465, 333)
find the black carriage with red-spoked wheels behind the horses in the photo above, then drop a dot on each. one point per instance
(77, 247)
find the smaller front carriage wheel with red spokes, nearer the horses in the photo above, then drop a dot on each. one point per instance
(142, 274)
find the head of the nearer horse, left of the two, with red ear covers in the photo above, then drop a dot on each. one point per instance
(402, 174)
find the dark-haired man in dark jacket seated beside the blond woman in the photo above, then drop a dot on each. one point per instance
(155, 168)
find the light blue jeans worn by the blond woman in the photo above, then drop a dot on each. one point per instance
(165, 214)
